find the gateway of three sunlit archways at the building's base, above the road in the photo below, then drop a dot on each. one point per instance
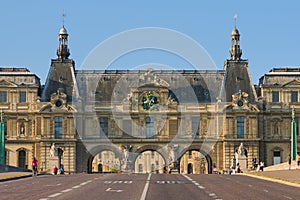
(148, 159)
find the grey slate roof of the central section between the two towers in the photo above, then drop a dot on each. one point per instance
(205, 83)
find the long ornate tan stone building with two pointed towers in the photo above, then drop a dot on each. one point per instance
(186, 121)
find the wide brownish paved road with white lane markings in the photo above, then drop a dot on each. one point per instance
(147, 186)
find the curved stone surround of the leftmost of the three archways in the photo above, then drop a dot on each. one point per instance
(98, 149)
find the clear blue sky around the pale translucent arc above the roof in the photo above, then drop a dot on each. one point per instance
(270, 30)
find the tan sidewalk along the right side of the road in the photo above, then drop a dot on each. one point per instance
(288, 177)
